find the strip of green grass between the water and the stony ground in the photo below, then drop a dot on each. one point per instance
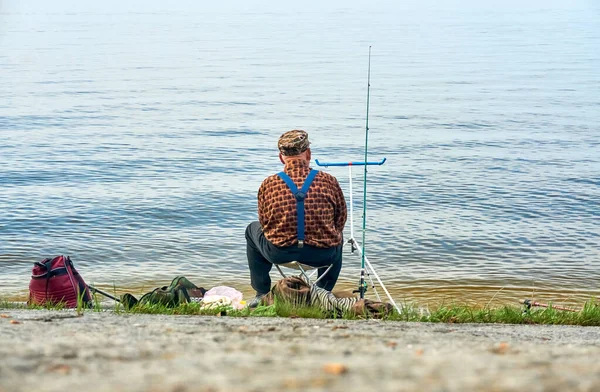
(589, 315)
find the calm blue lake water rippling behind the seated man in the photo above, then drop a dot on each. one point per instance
(134, 137)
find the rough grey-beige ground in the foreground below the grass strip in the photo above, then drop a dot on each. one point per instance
(58, 351)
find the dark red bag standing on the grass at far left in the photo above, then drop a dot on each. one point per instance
(55, 281)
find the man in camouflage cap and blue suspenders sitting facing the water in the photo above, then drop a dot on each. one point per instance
(279, 237)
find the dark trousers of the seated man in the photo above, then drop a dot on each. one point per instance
(262, 255)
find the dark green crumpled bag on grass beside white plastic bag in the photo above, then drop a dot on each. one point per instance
(178, 292)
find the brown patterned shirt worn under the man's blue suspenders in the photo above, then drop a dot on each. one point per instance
(325, 208)
